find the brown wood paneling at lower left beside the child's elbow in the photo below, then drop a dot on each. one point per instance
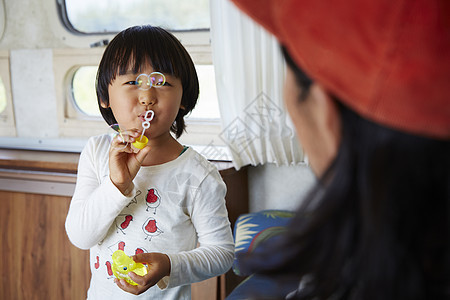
(37, 259)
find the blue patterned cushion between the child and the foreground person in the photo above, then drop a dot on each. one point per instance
(252, 229)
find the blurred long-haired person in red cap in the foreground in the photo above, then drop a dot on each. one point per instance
(368, 90)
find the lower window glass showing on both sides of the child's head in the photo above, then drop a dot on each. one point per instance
(85, 98)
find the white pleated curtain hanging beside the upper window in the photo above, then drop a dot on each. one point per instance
(250, 70)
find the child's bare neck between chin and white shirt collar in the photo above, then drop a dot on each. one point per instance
(163, 149)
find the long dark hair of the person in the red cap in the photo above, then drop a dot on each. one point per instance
(377, 227)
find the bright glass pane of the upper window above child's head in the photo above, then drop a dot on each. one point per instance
(106, 16)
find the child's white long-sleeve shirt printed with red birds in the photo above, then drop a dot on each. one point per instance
(172, 207)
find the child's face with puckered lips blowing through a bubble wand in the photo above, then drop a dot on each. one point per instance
(129, 103)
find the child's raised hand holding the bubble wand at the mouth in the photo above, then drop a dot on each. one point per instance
(124, 163)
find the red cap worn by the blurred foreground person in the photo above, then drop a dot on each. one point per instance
(389, 60)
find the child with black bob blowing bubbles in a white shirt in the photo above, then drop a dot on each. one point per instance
(157, 203)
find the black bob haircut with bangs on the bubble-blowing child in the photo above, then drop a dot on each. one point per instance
(132, 49)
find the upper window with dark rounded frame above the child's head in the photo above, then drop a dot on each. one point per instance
(84, 23)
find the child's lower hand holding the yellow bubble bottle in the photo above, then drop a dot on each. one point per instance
(158, 265)
